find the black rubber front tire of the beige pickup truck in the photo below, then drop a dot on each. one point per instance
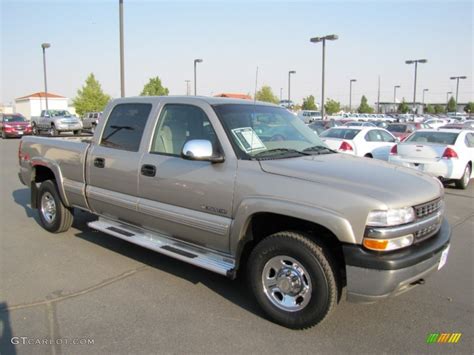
(316, 262)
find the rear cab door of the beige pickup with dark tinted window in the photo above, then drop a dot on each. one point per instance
(112, 163)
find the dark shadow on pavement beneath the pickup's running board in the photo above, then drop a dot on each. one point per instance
(236, 291)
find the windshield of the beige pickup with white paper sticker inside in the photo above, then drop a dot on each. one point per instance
(257, 130)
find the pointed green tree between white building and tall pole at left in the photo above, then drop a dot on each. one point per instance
(90, 97)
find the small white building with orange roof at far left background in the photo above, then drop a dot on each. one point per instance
(32, 105)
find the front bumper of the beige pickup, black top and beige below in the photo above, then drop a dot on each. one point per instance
(372, 276)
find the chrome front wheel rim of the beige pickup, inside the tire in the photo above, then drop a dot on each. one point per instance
(286, 283)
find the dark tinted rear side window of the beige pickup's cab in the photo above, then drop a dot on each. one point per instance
(124, 128)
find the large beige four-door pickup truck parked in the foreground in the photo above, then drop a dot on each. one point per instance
(231, 185)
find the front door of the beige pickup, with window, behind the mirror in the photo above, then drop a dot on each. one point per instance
(184, 199)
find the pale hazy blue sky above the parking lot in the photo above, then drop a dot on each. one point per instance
(162, 38)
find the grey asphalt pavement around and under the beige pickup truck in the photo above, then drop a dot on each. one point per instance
(88, 286)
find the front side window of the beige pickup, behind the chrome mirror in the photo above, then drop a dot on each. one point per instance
(177, 125)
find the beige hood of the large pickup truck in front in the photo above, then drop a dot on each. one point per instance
(393, 185)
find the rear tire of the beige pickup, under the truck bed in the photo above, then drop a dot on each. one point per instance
(63, 216)
